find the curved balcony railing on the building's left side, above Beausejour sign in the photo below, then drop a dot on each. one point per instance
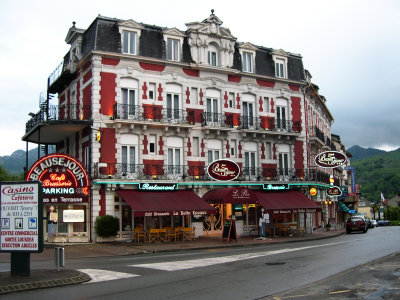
(58, 113)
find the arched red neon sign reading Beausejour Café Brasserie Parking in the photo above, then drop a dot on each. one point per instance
(63, 177)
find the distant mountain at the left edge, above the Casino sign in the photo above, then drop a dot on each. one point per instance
(15, 162)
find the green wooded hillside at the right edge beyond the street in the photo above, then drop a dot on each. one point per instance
(378, 173)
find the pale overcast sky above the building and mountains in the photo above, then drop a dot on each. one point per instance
(351, 49)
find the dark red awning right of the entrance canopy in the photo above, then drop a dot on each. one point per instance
(287, 202)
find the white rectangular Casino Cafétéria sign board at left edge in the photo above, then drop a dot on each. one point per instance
(21, 209)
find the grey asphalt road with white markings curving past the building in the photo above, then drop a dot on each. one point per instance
(233, 273)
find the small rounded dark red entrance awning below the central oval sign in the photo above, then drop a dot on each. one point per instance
(234, 195)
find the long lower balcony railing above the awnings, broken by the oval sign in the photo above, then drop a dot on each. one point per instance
(199, 173)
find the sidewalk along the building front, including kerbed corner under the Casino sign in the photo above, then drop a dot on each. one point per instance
(50, 278)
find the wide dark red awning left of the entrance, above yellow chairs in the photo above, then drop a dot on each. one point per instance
(176, 203)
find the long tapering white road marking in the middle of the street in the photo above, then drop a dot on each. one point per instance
(203, 262)
